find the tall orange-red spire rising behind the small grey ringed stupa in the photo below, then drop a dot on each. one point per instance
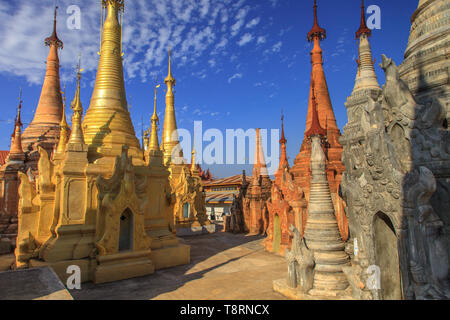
(301, 168)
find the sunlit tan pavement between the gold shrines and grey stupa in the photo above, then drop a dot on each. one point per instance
(223, 266)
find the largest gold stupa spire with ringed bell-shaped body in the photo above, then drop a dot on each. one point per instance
(107, 125)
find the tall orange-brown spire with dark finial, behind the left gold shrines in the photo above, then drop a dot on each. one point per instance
(44, 129)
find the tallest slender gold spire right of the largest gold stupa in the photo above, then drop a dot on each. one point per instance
(170, 134)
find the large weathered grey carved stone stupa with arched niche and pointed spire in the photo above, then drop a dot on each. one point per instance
(397, 160)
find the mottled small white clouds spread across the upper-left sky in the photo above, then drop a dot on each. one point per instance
(190, 27)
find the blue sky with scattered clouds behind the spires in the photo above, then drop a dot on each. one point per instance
(237, 63)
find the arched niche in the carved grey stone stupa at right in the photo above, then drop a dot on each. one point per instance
(387, 259)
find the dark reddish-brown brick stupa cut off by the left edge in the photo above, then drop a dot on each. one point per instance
(10, 181)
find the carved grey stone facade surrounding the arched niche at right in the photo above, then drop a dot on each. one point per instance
(391, 160)
